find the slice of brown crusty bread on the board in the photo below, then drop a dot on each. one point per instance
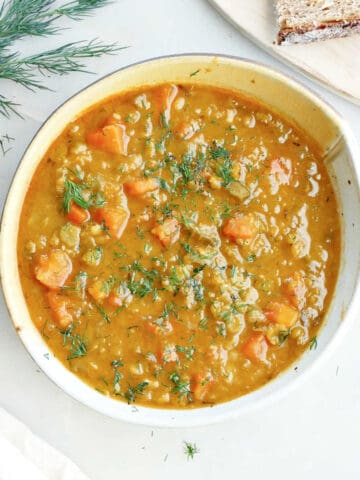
(305, 21)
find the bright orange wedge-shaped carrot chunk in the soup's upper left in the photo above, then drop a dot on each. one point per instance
(111, 139)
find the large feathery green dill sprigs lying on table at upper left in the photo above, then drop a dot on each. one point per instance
(23, 18)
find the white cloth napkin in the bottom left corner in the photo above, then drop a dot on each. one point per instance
(25, 456)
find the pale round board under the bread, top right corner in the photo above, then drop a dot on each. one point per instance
(334, 63)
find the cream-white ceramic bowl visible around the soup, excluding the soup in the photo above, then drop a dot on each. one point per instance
(281, 94)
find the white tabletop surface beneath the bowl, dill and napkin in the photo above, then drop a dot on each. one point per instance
(311, 433)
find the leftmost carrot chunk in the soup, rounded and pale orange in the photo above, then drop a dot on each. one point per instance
(53, 269)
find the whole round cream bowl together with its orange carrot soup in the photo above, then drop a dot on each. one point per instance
(176, 236)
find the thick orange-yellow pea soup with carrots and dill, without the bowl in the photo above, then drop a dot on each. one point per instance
(179, 246)
